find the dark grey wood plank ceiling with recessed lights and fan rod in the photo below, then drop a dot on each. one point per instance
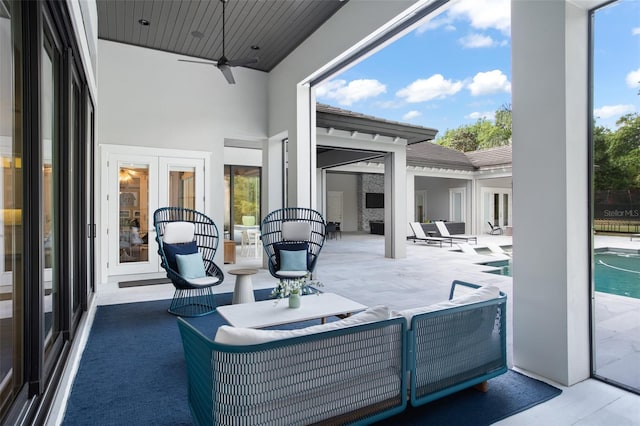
(194, 27)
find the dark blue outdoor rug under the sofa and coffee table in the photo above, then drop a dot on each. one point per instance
(132, 372)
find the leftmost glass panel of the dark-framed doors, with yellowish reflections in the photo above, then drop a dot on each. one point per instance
(11, 205)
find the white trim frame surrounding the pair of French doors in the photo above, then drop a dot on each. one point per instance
(108, 151)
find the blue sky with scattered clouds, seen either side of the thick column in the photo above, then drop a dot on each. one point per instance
(456, 68)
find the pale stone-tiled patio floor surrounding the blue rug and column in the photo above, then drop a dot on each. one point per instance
(355, 267)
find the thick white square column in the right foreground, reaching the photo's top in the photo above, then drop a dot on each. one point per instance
(550, 186)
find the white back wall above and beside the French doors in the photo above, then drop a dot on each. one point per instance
(149, 98)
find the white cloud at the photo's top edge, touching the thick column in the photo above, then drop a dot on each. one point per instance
(484, 14)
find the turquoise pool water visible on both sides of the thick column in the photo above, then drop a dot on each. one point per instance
(615, 272)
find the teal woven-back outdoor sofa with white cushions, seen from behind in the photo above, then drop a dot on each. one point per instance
(353, 371)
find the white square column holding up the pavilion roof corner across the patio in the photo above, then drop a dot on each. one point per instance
(395, 196)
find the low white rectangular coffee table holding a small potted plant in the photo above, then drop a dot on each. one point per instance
(267, 312)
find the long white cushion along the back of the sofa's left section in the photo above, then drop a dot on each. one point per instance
(248, 336)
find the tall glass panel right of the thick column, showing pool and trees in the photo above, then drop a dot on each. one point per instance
(615, 172)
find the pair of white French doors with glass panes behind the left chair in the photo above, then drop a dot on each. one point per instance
(137, 186)
